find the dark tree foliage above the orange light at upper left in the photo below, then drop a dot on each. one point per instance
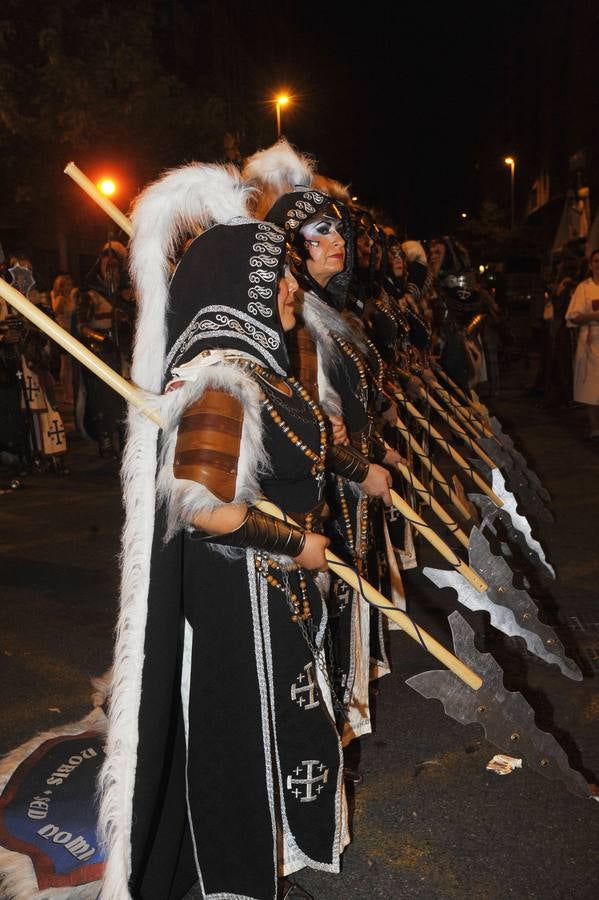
(95, 81)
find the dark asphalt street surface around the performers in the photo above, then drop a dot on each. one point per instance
(428, 821)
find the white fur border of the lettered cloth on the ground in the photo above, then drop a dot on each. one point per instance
(18, 880)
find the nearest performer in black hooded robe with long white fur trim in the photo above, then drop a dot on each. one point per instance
(223, 762)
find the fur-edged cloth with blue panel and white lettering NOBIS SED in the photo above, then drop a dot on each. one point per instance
(48, 842)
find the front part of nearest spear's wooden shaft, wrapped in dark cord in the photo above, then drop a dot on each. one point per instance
(421, 637)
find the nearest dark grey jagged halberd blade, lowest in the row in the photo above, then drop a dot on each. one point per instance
(506, 717)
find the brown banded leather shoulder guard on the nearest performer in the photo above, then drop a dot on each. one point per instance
(208, 443)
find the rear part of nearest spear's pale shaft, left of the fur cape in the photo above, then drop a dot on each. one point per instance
(69, 343)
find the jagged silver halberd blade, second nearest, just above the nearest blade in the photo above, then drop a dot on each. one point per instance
(511, 610)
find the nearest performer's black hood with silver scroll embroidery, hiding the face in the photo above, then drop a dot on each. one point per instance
(223, 295)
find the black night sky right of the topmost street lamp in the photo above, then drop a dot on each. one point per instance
(409, 103)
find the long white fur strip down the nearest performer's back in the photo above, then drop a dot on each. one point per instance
(185, 200)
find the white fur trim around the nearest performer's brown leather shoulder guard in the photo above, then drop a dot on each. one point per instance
(184, 499)
